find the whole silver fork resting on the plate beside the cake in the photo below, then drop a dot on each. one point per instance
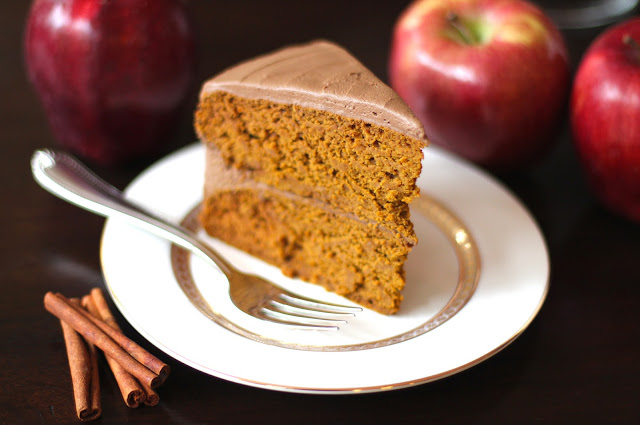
(64, 176)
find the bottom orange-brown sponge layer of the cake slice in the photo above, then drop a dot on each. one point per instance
(352, 258)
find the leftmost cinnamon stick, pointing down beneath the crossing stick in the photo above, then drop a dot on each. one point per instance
(83, 366)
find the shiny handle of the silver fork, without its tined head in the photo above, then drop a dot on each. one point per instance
(65, 177)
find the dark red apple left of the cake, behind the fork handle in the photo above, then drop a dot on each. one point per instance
(112, 75)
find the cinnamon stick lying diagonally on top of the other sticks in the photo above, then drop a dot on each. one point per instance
(79, 320)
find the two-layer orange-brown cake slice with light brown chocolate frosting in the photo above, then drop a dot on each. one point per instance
(311, 163)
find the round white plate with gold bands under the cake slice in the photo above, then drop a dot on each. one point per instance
(471, 231)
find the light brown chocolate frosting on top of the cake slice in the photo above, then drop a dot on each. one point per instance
(319, 75)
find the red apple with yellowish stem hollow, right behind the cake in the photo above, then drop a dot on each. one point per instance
(489, 79)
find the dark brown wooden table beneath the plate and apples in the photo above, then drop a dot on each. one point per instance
(576, 363)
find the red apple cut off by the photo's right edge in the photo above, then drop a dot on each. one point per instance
(605, 117)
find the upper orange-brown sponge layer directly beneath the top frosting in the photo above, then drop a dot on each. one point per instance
(349, 164)
